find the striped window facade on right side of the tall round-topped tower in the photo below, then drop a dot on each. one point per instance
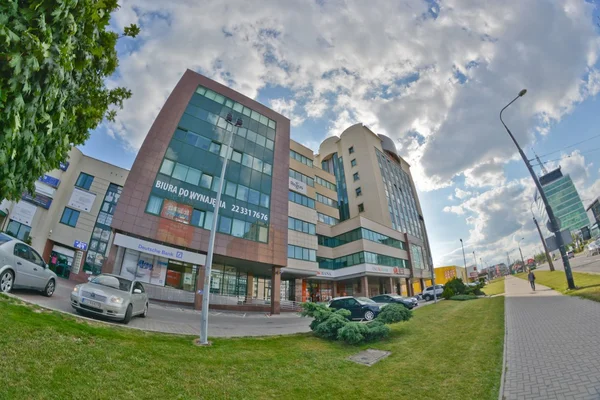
(401, 198)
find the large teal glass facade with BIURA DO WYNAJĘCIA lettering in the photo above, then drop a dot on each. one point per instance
(185, 187)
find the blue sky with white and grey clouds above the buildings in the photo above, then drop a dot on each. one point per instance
(432, 75)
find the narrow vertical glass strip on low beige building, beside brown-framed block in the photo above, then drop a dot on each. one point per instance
(98, 244)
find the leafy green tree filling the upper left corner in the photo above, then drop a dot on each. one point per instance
(54, 57)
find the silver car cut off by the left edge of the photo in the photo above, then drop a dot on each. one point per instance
(22, 267)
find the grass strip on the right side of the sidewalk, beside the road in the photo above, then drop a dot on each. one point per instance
(589, 284)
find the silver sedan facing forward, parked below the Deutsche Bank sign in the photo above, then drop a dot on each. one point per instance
(111, 296)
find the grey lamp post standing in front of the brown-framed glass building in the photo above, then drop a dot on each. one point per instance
(211, 240)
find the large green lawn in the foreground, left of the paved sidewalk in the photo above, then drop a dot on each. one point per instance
(452, 350)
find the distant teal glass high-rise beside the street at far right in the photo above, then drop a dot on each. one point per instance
(564, 200)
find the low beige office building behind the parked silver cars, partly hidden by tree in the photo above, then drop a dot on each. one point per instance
(67, 220)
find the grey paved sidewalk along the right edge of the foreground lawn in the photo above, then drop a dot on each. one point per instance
(553, 344)
